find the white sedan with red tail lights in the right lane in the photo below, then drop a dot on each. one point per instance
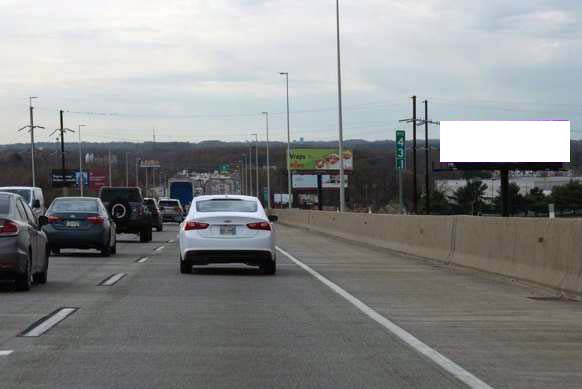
(227, 229)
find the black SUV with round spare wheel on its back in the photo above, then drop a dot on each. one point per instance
(127, 209)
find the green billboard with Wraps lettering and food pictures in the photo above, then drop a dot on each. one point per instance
(319, 159)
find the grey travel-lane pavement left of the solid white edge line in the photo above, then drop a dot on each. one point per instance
(226, 327)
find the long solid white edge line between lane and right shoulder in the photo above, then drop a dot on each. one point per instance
(442, 361)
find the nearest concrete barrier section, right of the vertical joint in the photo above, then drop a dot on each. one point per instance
(544, 251)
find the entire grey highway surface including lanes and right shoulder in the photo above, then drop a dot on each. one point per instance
(336, 315)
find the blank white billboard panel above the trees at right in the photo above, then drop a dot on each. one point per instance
(505, 141)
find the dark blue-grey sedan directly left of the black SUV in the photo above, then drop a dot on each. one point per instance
(80, 223)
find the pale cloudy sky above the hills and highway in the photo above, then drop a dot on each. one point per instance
(197, 70)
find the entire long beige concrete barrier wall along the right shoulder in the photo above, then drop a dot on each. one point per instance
(544, 251)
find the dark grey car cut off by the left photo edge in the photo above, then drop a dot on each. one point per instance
(23, 245)
